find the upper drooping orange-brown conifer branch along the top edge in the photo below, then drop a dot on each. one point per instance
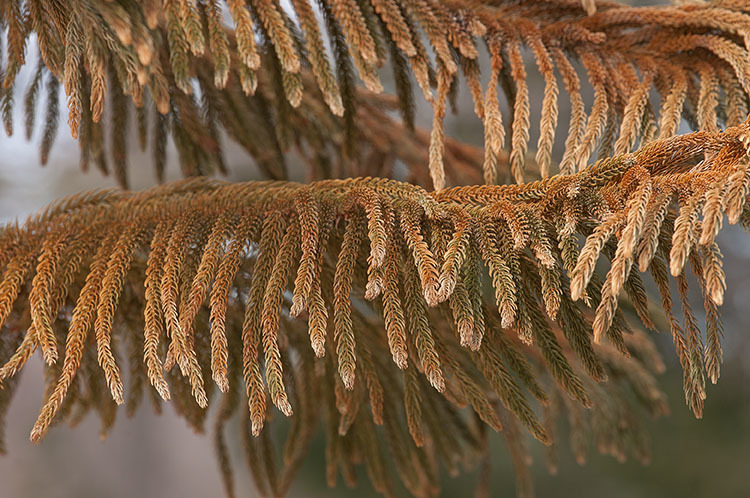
(178, 57)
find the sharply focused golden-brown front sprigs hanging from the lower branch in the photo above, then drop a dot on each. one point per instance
(423, 254)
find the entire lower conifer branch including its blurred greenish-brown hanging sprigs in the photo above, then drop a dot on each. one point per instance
(209, 277)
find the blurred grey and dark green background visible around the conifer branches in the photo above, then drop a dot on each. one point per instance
(160, 456)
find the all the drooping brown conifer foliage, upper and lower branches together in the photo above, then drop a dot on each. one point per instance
(445, 310)
